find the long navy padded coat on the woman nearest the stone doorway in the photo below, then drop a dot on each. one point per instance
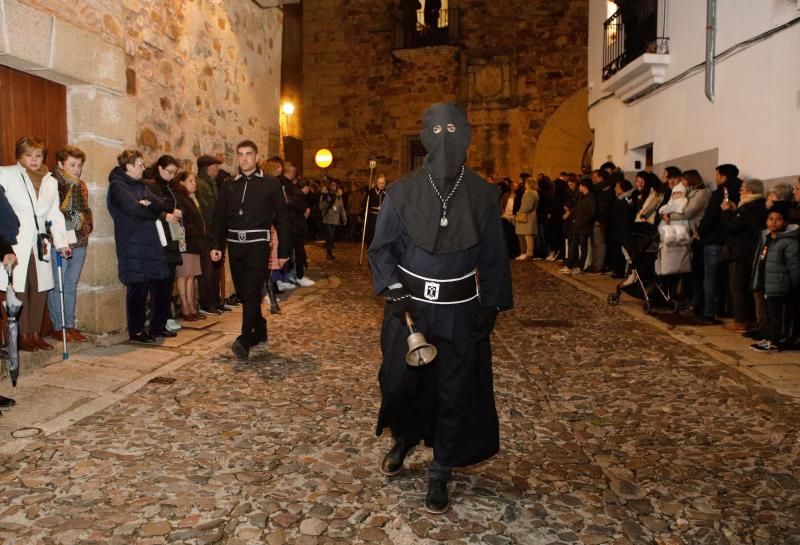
(140, 256)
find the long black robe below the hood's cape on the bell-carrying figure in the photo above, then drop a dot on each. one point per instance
(448, 403)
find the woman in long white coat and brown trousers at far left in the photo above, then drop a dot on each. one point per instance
(33, 194)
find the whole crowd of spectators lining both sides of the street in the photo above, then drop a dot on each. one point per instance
(743, 238)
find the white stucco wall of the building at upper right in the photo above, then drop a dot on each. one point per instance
(754, 121)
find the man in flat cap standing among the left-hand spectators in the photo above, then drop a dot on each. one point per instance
(209, 282)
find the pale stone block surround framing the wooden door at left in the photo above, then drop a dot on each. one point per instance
(100, 120)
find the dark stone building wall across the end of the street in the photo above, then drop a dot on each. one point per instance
(516, 63)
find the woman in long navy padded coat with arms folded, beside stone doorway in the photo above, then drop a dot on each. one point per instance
(141, 260)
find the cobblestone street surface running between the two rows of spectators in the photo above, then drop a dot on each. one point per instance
(612, 431)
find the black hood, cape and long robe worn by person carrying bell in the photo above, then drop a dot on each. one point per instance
(448, 403)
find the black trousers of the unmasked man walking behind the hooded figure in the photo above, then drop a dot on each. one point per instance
(249, 267)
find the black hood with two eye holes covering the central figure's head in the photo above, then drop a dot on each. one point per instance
(445, 134)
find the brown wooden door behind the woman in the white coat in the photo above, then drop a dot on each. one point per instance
(30, 106)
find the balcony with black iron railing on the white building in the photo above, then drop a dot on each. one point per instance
(631, 32)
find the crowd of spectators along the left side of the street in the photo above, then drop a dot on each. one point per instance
(162, 216)
